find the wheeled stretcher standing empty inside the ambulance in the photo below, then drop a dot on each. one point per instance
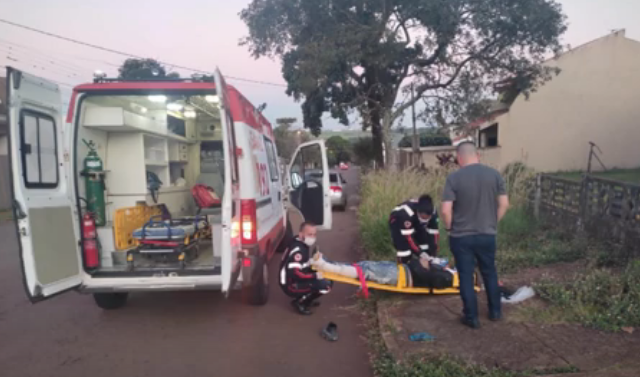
(162, 237)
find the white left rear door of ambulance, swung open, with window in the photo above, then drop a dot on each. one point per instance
(43, 209)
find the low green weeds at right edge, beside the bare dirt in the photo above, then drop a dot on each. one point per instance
(604, 299)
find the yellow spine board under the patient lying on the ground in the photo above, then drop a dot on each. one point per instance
(404, 284)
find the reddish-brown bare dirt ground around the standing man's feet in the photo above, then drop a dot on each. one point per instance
(508, 344)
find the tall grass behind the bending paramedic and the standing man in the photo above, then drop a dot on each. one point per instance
(522, 242)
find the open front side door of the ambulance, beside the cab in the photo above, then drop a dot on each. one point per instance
(308, 181)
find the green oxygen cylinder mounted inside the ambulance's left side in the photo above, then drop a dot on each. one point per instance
(93, 173)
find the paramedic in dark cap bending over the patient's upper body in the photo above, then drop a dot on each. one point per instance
(415, 234)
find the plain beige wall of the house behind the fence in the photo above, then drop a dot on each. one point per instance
(595, 98)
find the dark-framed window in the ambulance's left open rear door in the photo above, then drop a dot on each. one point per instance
(38, 150)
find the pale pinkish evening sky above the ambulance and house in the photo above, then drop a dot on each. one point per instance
(200, 34)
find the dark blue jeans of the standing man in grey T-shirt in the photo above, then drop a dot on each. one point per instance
(467, 250)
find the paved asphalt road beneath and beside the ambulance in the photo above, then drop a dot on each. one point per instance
(179, 334)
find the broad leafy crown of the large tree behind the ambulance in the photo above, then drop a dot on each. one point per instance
(341, 56)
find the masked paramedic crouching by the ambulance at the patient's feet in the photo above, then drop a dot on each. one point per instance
(297, 279)
